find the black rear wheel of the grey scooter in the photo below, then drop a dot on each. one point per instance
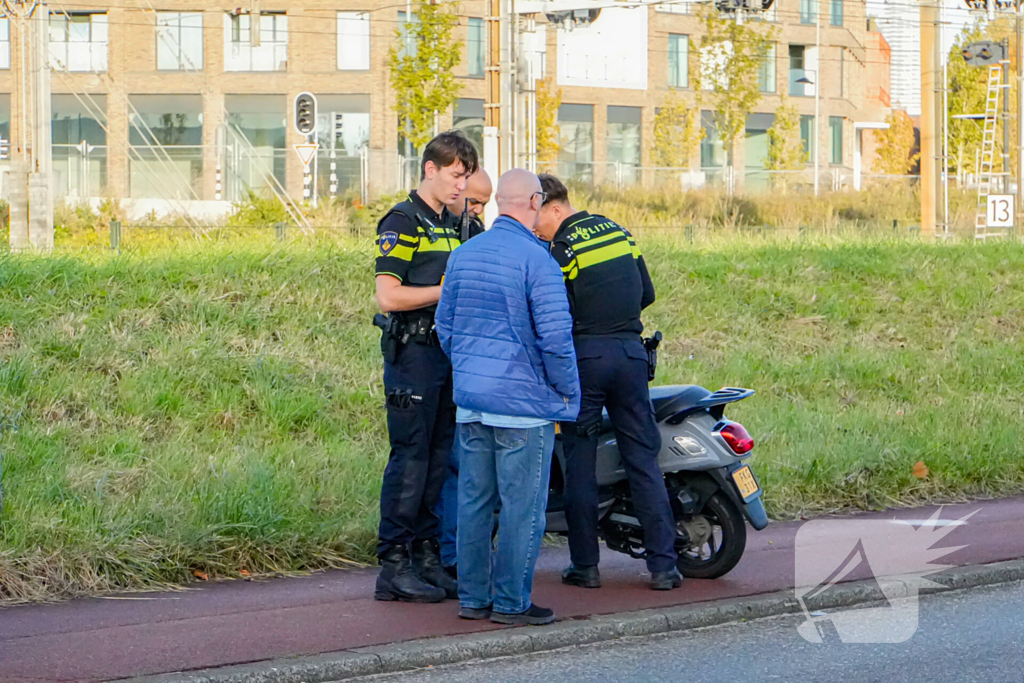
(722, 550)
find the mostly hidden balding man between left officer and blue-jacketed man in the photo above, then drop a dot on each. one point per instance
(467, 210)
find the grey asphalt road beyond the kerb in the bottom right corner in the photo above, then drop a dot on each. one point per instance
(975, 635)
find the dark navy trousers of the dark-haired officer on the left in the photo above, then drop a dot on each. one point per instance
(421, 430)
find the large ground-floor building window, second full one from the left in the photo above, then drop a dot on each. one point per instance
(176, 123)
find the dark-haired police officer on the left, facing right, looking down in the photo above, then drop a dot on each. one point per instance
(414, 242)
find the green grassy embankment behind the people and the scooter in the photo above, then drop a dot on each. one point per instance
(221, 410)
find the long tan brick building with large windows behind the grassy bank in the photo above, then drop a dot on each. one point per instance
(193, 78)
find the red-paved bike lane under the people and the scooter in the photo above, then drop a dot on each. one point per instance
(231, 623)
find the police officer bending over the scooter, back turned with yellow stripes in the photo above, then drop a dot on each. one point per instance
(609, 286)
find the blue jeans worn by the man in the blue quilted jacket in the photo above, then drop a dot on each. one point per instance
(511, 467)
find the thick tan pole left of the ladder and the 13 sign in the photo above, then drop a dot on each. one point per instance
(930, 45)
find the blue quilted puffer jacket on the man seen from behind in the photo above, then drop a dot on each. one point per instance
(504, 322)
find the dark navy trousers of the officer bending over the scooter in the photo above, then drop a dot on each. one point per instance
(614, 375)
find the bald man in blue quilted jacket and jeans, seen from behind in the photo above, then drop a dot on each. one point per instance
(504, 321)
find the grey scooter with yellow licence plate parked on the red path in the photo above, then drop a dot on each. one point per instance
(712, 488)
